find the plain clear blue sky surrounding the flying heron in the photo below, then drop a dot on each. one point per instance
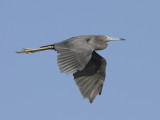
(31, 85)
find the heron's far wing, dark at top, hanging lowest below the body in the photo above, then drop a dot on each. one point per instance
(90, 80)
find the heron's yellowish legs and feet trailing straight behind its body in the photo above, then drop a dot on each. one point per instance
(29, 50)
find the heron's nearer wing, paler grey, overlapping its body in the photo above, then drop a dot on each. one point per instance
(74, 54)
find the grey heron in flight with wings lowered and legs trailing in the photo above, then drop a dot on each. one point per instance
(78, 56)
